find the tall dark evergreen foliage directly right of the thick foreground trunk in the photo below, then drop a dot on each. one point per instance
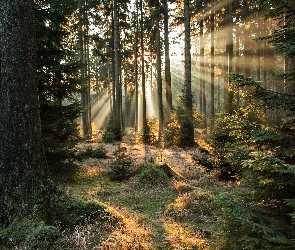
(58, 86)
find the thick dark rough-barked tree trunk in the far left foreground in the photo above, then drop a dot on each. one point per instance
(23, 168)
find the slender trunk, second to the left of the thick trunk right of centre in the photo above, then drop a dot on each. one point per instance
(159, 73)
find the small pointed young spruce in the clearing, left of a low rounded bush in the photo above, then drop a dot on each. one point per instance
(121, 168)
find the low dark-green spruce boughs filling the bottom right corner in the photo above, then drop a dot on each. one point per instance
(247, 227)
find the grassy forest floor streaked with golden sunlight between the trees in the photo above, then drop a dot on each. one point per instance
(180, 215)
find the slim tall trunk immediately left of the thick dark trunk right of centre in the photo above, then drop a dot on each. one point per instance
(167, 63)
